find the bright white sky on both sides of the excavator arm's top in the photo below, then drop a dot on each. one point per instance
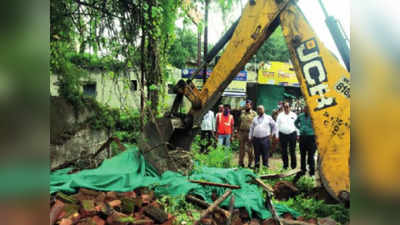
(340, 9)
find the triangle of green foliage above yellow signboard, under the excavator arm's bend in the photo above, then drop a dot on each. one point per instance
(274, 49)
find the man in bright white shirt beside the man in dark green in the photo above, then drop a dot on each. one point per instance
(287, 134)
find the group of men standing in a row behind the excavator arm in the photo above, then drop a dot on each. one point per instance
(257, 130)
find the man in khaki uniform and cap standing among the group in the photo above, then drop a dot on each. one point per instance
(246, 118)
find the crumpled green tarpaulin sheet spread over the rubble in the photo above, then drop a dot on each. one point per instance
(128, 171)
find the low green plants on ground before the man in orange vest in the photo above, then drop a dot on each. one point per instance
(220, 156)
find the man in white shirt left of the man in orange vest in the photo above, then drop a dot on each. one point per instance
(207, 130)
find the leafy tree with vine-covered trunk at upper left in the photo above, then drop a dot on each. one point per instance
(138, 34)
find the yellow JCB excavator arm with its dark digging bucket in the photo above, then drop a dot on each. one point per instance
(324, 82)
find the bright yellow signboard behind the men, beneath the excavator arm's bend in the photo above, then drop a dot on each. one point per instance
(277, 73)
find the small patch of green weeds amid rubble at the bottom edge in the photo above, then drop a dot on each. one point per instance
(184, 211)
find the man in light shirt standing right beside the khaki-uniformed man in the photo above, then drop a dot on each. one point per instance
(261, 130)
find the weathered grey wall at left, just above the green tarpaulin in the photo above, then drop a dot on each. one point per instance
(71, 138)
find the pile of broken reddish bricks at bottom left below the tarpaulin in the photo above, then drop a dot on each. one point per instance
(89, 207)
